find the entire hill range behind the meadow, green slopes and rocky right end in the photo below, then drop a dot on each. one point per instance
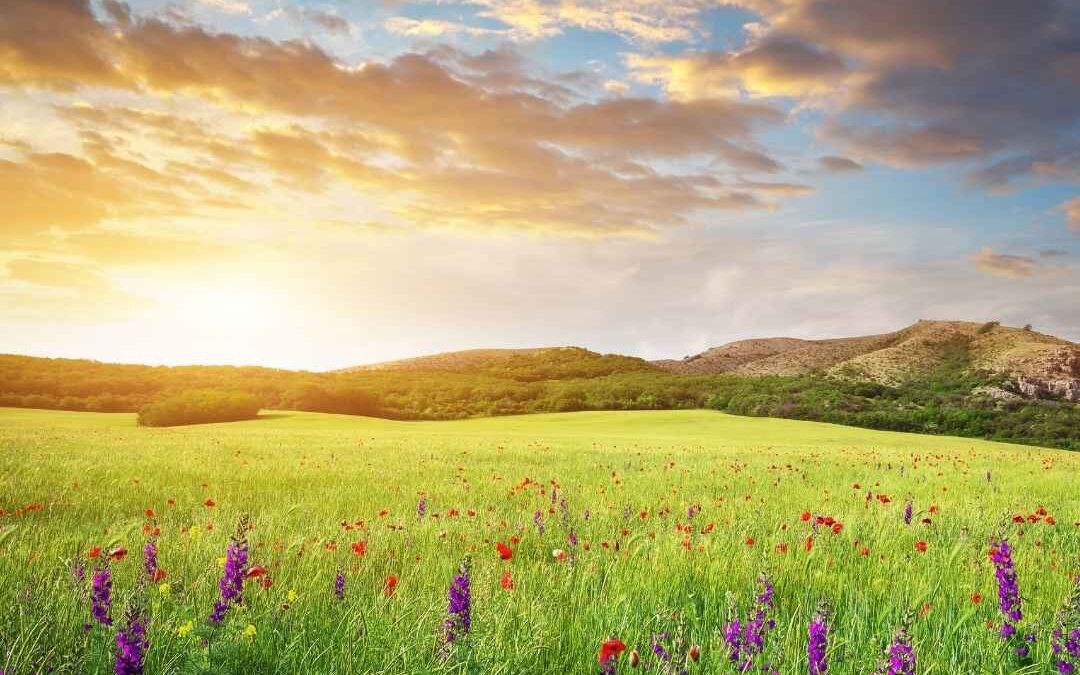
(969, 380)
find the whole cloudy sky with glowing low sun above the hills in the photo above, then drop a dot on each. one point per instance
(318, 185)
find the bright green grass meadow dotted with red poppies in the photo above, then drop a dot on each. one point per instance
(623, 484)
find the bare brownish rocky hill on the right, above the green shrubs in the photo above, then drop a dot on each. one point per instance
(1034, 364)
